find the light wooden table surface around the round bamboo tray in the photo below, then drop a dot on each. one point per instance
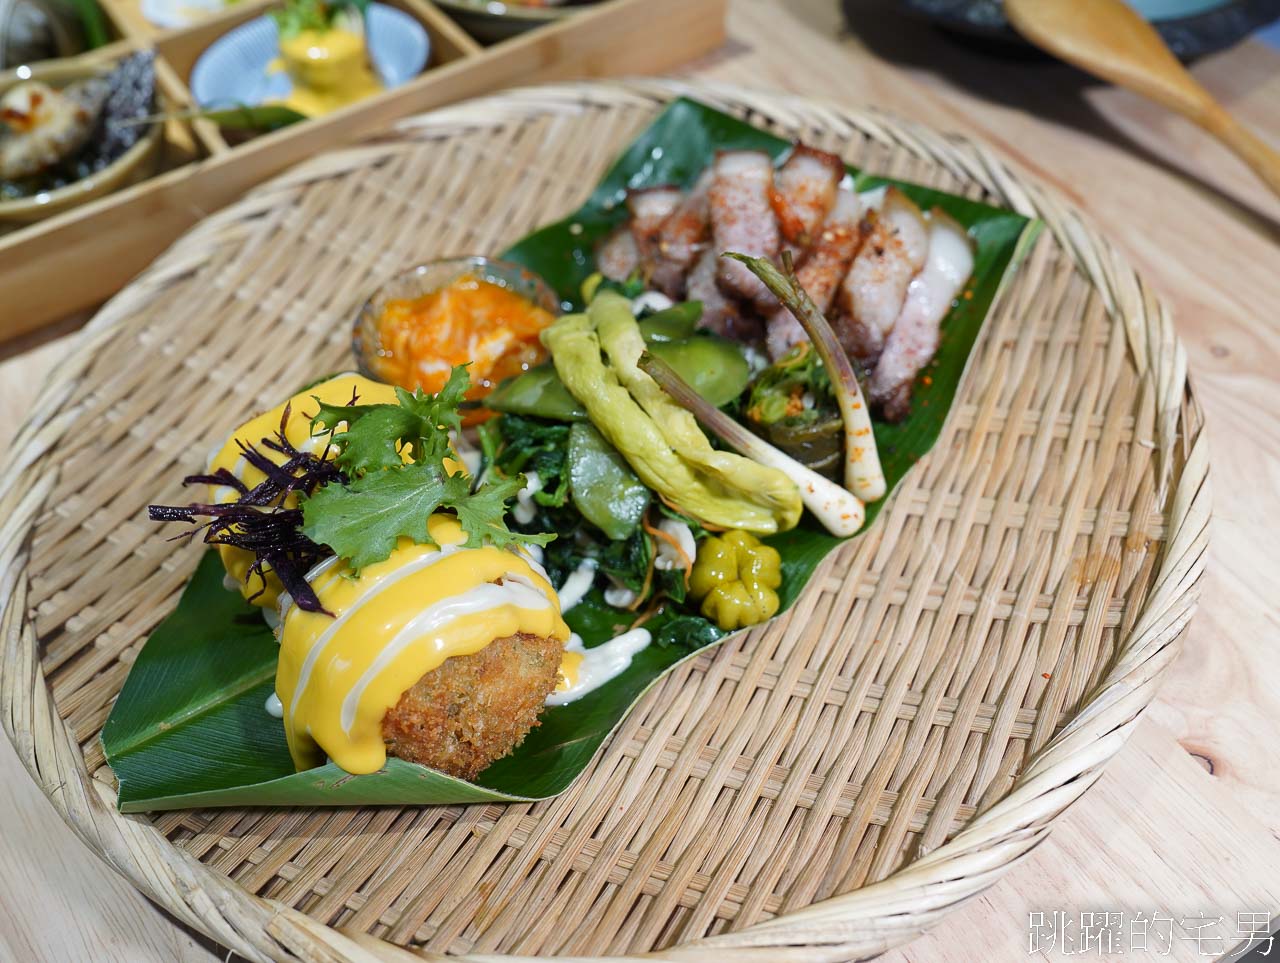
(1187, 821)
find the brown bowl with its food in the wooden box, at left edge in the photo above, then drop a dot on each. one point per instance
(71, 134)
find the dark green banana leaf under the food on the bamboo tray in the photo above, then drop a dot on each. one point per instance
(190, 728)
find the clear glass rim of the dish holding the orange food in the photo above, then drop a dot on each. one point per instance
(435, 276)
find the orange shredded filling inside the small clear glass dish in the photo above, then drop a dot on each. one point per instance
(422, 339)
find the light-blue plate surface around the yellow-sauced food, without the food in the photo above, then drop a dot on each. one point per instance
(234, 71)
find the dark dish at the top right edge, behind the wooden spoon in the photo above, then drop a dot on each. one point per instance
(1190, 28)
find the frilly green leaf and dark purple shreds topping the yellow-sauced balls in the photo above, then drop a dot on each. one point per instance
(380, 478)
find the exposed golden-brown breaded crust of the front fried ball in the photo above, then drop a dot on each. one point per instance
(474, 709)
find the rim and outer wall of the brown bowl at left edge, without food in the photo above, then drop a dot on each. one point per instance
(138, 163)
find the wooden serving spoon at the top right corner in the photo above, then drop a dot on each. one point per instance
(1109, 40)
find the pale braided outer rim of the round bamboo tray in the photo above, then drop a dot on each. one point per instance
(857, 924)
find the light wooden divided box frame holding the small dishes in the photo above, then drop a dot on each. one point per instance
(77, 259)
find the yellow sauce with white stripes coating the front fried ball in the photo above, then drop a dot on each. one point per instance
(339, 677)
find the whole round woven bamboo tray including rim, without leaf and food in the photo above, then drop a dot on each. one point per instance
(820, 789)
